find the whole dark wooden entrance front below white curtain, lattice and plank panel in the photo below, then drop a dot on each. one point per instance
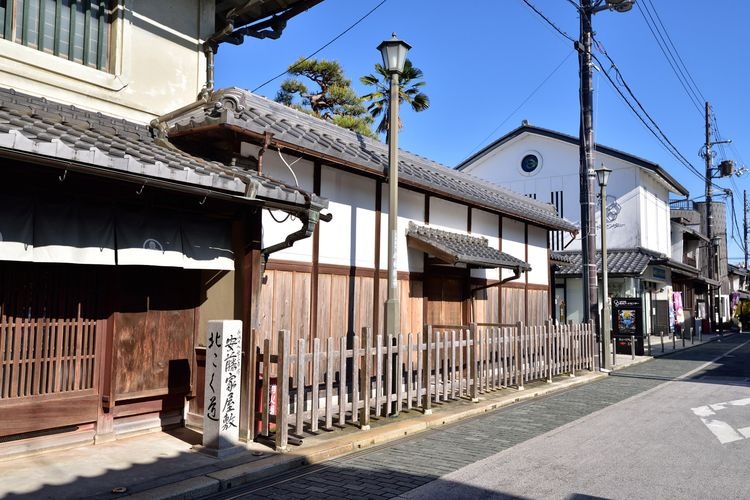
(76, 340)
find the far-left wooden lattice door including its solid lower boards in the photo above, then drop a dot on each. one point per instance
(51, 340)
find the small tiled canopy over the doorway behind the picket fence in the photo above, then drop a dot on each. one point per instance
(461, 248)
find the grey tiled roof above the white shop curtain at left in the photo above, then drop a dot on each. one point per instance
(42, 128)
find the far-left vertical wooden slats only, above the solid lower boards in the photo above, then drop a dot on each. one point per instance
(47, 339)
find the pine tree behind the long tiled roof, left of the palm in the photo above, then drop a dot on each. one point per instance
(333, 100)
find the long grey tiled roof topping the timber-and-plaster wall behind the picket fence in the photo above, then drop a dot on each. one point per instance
(254, 114)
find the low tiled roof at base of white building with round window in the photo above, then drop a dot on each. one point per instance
(622, 262)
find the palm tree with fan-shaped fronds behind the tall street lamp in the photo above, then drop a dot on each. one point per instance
(409, 92)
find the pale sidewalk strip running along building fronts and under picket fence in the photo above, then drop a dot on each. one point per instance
(164, 465)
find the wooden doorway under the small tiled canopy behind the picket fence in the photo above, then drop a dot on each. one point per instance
(446, 292)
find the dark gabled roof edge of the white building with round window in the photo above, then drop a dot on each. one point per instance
(530, 129)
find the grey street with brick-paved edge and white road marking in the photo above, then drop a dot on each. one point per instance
(674, 427)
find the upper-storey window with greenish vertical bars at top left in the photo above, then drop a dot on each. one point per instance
(77, 30)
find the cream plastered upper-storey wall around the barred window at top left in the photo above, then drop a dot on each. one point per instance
(157, 65)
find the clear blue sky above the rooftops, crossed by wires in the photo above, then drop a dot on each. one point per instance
(489, 64)
